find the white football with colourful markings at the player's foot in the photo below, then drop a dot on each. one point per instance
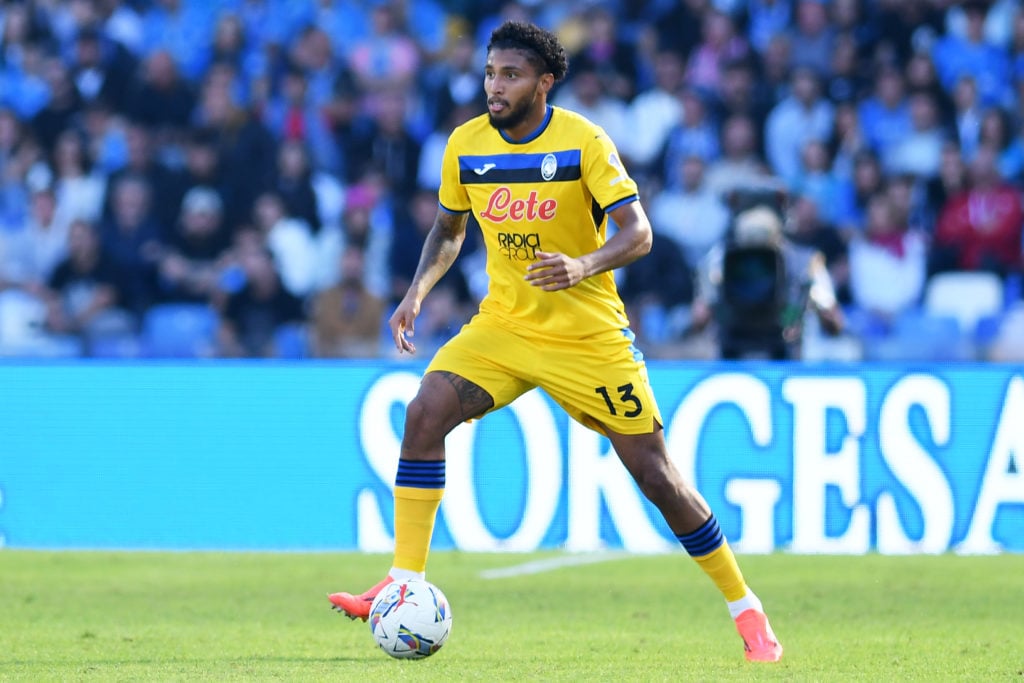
(411, 619)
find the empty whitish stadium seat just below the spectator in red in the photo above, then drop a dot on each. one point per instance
(967, 296)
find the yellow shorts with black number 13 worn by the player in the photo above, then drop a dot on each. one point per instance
(602, 382)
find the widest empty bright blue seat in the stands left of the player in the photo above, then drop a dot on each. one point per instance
(180, 331)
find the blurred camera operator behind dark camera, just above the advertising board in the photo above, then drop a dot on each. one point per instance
(756, 287)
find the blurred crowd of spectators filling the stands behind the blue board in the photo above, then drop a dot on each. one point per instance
(254, 179)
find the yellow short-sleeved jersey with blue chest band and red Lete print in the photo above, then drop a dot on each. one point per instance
(550, 192)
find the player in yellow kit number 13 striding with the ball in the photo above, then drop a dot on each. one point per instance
(542, 183)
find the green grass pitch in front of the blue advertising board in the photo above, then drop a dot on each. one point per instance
(255, 617)
